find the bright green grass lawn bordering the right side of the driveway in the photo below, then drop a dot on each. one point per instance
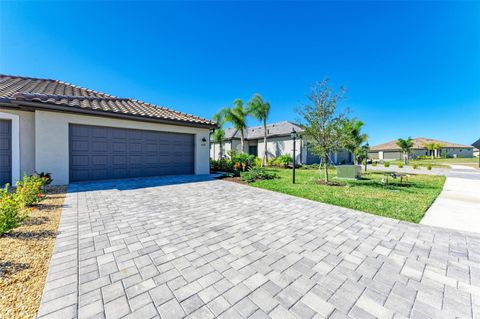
(407, 203)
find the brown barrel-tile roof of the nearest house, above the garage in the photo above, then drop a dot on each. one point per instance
(54, 92)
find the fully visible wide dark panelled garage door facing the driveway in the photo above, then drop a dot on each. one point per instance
(104, 153)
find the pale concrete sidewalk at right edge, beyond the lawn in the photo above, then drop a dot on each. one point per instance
(458, 206)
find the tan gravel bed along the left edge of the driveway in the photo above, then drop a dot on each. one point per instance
(25, 255)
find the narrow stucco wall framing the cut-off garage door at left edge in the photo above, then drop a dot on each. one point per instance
(27, 140)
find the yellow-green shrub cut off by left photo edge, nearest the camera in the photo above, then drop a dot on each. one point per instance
(11, 211)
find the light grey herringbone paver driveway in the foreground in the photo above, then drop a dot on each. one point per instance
(176, 247)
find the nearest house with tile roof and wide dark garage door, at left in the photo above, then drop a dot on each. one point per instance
(79, 134)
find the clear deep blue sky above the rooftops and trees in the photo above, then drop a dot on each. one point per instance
(411, 68)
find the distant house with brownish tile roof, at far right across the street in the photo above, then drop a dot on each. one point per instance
(391, 151)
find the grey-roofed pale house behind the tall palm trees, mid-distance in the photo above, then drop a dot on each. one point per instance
(279, 142)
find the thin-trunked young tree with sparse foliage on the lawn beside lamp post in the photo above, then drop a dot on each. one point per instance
(324, 126)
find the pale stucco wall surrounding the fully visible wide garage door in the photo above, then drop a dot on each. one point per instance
(51, 140)
